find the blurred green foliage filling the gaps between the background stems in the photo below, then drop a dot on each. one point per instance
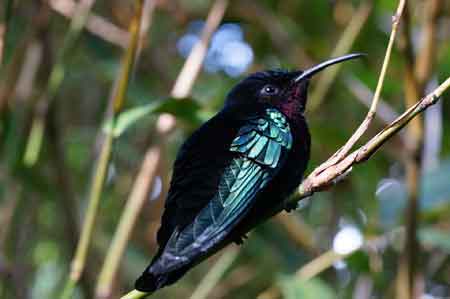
(41, 206)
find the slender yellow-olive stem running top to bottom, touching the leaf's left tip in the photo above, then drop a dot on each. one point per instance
(101, 167)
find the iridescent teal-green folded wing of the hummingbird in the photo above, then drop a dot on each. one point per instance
(262, 146)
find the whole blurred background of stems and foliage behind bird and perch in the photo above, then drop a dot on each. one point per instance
(384, 232)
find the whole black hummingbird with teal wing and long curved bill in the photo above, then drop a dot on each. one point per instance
(237, 167)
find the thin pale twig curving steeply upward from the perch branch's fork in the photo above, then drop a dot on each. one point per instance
(343, 151)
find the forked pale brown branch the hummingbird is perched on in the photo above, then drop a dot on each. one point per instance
(342, 162)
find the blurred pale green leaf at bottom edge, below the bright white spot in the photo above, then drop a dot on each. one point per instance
(293, 288)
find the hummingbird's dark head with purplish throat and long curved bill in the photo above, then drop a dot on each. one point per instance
(285, 90)
